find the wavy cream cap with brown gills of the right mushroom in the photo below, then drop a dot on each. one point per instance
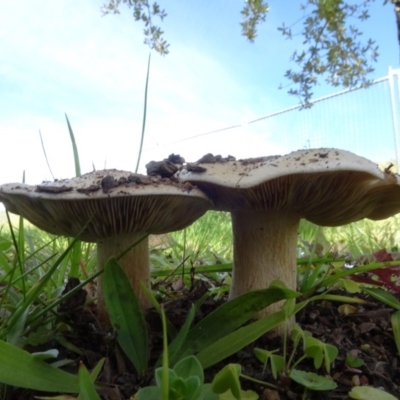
(326, 186)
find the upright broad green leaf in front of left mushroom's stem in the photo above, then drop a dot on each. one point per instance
(125, 315)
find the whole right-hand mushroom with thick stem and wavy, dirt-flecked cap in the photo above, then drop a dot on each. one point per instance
(268, 196)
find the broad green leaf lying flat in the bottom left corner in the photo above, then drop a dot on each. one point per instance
(21, 369)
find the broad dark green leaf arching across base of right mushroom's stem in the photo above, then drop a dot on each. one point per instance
(230, 316)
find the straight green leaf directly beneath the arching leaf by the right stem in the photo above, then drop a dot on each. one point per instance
(242, 337)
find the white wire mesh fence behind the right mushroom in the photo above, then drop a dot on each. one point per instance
(364, 121)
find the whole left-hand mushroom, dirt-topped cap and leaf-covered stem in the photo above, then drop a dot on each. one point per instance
(119, 208)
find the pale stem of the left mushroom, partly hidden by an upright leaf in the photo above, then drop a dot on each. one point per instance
(135, 264)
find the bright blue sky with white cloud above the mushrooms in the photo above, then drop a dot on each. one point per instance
(57, 57)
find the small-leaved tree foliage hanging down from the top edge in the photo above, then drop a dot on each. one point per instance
(332, 48)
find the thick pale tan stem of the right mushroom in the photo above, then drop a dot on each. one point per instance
(264, 249)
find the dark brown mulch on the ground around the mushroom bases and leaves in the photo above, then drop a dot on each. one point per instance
(365, 334)
